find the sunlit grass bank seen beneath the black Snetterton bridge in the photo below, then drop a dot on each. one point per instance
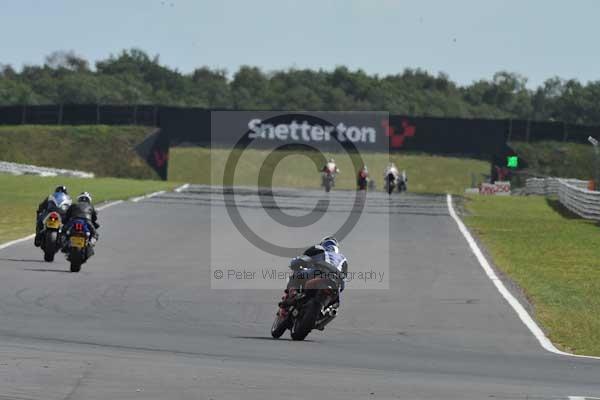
(425, 173)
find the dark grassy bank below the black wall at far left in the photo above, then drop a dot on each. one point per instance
(104, 150)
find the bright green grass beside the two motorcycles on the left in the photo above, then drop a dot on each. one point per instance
(20, 196)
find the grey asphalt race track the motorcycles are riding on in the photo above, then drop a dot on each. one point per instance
(142, 322)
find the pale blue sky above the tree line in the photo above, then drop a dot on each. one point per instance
(467, 39)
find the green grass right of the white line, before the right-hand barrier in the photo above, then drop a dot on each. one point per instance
(553, 256)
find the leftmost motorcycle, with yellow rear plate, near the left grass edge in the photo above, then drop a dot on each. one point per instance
(52, 223)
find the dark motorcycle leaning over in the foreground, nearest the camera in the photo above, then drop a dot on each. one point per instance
(308, 304)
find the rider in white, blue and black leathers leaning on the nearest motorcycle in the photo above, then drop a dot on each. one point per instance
(327, 251)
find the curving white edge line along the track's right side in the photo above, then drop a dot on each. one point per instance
(512, 301)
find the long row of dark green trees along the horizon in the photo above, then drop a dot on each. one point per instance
(134, 77)
